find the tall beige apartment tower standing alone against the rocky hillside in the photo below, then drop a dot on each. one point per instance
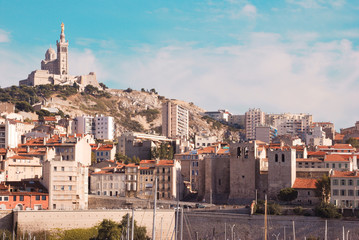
(175, 120)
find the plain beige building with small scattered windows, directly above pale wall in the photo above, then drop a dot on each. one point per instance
(67, 183)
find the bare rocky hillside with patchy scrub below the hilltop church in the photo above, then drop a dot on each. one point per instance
(133, 110)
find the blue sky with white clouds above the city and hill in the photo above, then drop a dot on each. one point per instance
(297, 56)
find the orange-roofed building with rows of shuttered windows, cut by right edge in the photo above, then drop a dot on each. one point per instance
(344, 189)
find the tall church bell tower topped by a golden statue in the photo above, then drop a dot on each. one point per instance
(62, 53)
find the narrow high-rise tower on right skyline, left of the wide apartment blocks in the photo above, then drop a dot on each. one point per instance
(254, 117)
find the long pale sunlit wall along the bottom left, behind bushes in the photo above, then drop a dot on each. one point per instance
(50, 220)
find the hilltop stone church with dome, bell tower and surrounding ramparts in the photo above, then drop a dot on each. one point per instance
(55, 68)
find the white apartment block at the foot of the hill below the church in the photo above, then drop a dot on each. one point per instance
(102, 127)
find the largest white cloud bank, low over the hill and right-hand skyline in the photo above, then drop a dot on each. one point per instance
(320, 79)
